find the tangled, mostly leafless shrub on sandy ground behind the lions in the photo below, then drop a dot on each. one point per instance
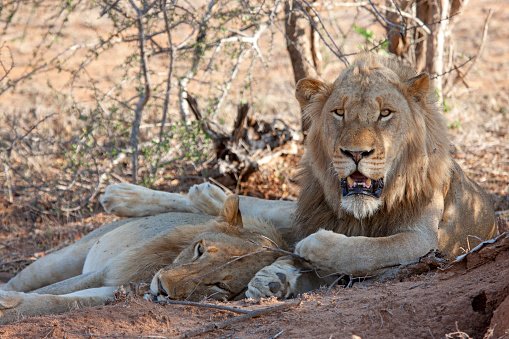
(156, 52)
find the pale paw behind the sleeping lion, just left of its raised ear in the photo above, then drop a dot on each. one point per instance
(206, 198)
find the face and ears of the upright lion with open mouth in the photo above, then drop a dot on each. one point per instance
(364, 128)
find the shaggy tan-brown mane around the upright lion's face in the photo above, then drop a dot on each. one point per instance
(423, 166)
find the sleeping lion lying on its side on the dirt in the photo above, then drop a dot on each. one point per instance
(195, 256)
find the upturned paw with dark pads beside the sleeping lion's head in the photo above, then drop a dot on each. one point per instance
(277, 280)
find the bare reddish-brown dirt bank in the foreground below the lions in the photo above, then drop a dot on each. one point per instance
(470, 297)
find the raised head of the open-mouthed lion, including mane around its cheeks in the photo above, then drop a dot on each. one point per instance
(376, 138)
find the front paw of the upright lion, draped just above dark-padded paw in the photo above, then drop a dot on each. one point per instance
(323, 248)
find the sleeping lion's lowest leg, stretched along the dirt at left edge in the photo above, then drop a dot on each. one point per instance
(15, 305)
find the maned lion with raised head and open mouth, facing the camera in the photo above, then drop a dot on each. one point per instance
(378, 185)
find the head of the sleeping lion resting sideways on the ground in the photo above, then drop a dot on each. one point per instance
(218, 264)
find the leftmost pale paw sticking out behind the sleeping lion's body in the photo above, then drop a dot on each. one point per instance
(124, 199)
